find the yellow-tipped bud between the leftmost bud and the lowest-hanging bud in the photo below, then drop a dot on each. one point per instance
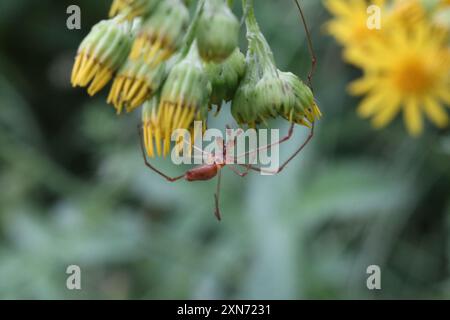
(135, 82)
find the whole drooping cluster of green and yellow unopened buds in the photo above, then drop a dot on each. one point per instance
(177, 66)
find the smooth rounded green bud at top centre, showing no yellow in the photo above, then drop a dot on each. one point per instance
(217, 32)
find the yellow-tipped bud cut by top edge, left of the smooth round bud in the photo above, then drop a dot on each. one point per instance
(162, 34)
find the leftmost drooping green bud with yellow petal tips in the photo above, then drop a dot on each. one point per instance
(101, 53)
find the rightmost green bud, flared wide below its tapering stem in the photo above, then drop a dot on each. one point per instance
(266, 92)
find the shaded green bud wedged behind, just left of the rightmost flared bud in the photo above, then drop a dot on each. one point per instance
(225, 77)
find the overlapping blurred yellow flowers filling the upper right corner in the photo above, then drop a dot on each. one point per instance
(406, 64)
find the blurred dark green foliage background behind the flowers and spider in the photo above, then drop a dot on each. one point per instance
(74, 189)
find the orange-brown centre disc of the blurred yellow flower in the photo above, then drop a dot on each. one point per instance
(412, 76)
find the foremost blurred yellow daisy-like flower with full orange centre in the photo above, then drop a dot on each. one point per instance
(409, 71)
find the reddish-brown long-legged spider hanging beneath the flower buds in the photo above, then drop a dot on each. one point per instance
(216, 162)
